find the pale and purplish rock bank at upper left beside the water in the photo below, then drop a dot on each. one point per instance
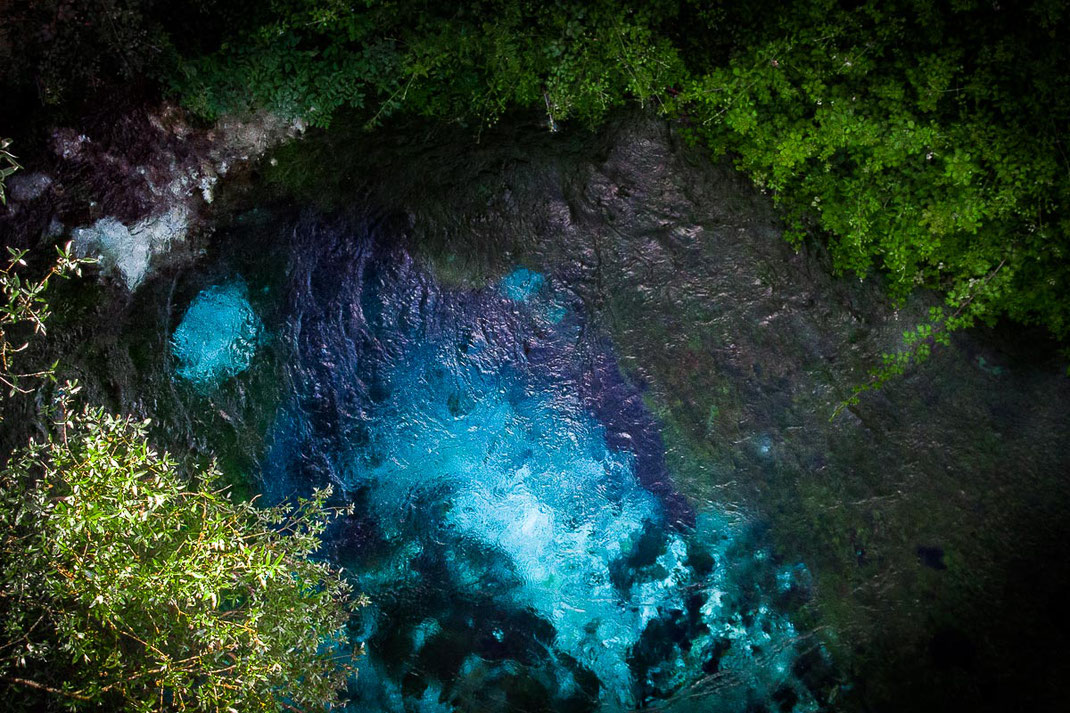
(136, 188)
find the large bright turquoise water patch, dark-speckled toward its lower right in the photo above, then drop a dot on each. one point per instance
(527, 473)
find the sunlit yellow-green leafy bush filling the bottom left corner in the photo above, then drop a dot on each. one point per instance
(132, 587)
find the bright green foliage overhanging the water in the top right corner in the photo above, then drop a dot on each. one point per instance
(925, 141)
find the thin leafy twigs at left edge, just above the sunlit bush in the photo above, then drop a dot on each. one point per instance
(24, 309)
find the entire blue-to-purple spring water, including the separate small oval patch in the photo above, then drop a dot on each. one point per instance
(517, 529)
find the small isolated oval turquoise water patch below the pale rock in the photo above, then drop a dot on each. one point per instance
(218, 337)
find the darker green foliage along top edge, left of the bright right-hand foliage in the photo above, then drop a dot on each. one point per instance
(467, 63)
